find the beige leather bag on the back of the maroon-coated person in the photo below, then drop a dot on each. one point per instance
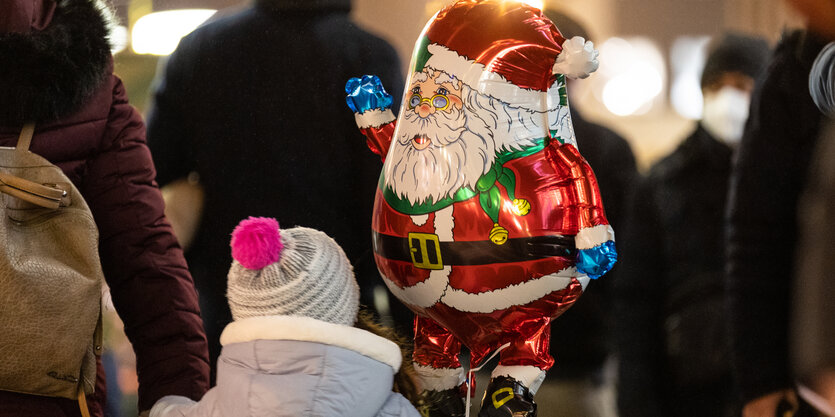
(50, 279)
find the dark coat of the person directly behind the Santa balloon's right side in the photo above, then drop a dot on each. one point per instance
(581, 338)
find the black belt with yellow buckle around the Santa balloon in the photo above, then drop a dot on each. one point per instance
(426, 251)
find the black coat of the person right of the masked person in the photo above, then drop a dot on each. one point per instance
(774, 157)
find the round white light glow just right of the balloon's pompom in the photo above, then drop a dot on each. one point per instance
(633, 71)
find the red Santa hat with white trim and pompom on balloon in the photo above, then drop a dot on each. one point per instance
(505, 49)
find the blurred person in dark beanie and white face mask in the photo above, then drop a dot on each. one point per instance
(672, 334)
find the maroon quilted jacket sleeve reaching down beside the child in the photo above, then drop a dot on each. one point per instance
(151, 286)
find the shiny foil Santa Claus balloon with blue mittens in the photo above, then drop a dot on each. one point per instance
(487, 222)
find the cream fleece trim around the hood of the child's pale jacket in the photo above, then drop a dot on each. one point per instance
(306, 329)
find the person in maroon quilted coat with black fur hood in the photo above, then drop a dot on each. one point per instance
(58, 72)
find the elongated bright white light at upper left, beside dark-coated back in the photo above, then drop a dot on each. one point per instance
(159, 33)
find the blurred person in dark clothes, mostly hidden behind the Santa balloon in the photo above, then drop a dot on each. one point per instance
(581, 341)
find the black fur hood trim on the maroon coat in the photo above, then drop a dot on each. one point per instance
(47, 74)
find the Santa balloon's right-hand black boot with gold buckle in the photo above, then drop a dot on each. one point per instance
(507, 397)
